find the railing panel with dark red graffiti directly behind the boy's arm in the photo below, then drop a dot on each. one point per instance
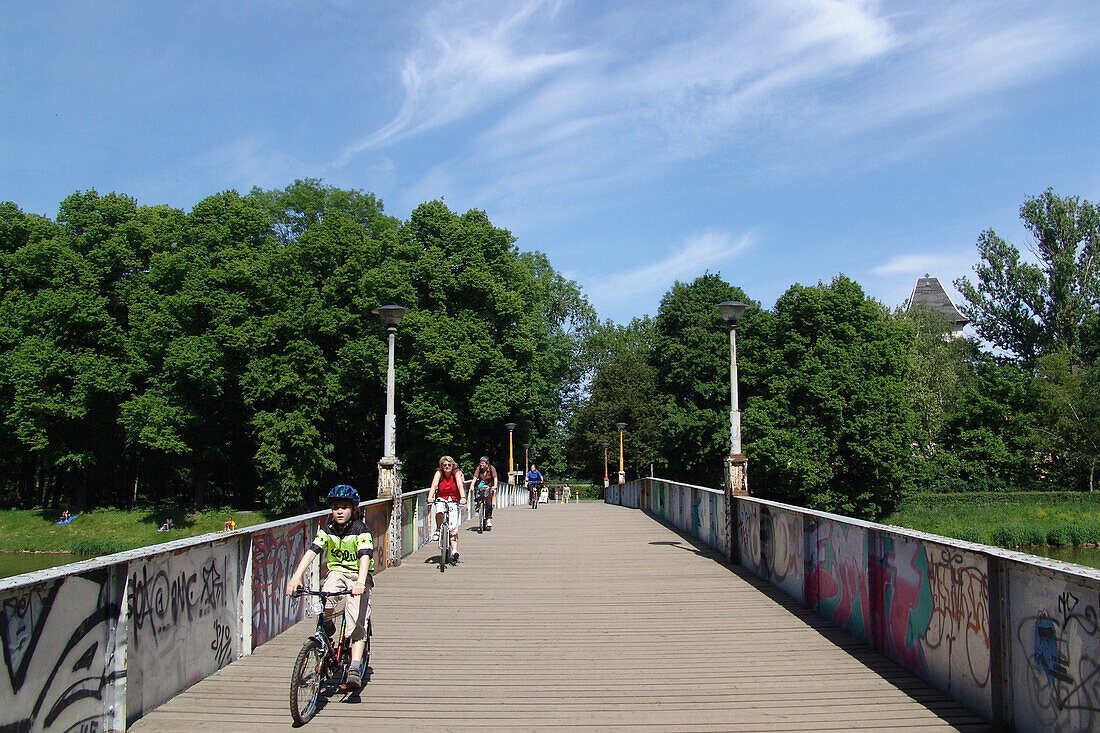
(276, 556)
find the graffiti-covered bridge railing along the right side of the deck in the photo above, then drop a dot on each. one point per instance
(1013, 637)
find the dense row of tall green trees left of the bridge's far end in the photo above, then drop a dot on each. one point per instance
(229, 354)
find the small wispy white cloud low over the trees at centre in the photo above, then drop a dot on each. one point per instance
(707, 250)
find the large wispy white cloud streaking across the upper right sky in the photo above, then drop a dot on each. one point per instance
(558, 95)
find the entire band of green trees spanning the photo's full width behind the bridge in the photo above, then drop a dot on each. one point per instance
(229, 354)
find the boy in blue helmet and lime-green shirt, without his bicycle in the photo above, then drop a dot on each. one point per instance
(350, 560)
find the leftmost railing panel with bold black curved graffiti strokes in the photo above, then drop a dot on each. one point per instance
(59, 654)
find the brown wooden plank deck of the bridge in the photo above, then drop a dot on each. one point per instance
(582, 617)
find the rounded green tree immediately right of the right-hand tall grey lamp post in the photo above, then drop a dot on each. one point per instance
(829, 423)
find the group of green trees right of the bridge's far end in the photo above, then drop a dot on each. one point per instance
(848, 407)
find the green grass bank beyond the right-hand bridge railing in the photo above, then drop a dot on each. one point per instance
(1026, 519)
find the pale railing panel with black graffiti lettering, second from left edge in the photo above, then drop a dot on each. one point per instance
(180, 609)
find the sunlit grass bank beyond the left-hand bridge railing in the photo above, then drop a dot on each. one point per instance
(105, 531)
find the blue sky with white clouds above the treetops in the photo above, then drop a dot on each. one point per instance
(635, 144)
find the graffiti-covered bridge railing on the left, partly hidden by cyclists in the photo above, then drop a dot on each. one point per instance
(97, 644)
